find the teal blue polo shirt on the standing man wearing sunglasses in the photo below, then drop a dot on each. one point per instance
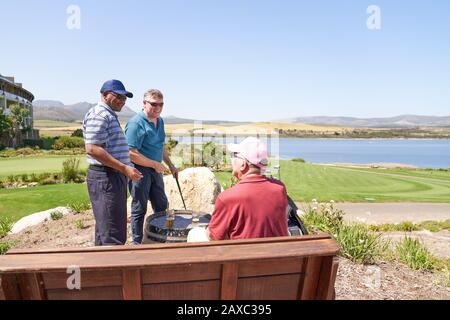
(142, 135)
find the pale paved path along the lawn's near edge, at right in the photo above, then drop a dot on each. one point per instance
(378, 213)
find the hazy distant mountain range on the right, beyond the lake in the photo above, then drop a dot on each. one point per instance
(403, 121)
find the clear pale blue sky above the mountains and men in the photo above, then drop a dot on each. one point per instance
(237, 60)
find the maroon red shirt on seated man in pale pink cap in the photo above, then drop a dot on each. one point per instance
(254, 208)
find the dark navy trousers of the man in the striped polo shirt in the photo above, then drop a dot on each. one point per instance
(108, 194)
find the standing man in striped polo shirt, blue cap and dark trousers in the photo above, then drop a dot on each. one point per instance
(109, 165)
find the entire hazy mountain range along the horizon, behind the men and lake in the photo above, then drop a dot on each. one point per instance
(56, 110)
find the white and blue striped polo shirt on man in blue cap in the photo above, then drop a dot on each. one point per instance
(101, 127)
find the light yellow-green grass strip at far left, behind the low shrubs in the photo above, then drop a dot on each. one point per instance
(17, 166)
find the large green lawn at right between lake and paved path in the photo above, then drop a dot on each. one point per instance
(305, 182)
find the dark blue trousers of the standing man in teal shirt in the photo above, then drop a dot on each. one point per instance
(149, 188)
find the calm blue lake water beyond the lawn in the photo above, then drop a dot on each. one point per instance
(416, 152)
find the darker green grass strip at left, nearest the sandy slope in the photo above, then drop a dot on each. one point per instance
(17, 203)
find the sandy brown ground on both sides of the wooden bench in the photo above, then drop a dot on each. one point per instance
(354, 281)
